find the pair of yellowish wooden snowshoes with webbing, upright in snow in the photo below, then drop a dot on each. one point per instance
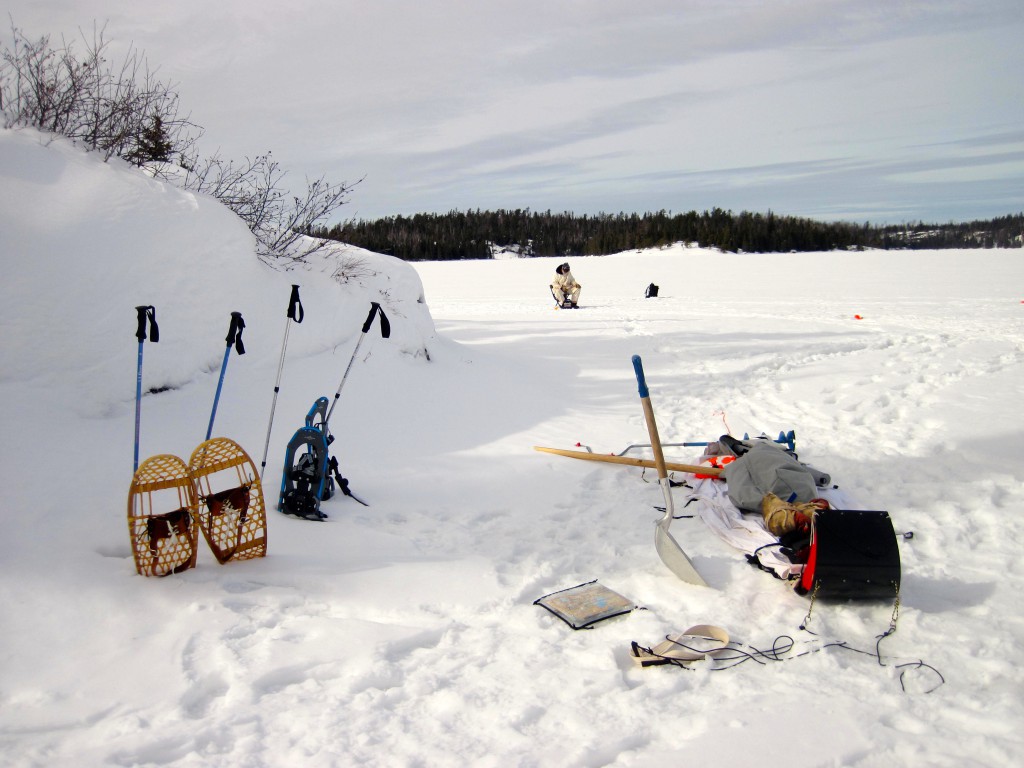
(219, 492)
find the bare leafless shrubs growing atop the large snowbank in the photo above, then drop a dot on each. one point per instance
(130, 113)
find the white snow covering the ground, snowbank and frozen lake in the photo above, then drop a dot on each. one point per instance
(405, 633)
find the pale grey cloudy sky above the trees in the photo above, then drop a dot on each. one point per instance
(882, 111)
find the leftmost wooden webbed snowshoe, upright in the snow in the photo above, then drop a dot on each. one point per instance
(162, 517)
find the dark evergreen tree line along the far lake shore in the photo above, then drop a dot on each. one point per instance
(478, 235)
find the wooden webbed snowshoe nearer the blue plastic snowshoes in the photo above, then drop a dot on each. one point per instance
(231, 509)
